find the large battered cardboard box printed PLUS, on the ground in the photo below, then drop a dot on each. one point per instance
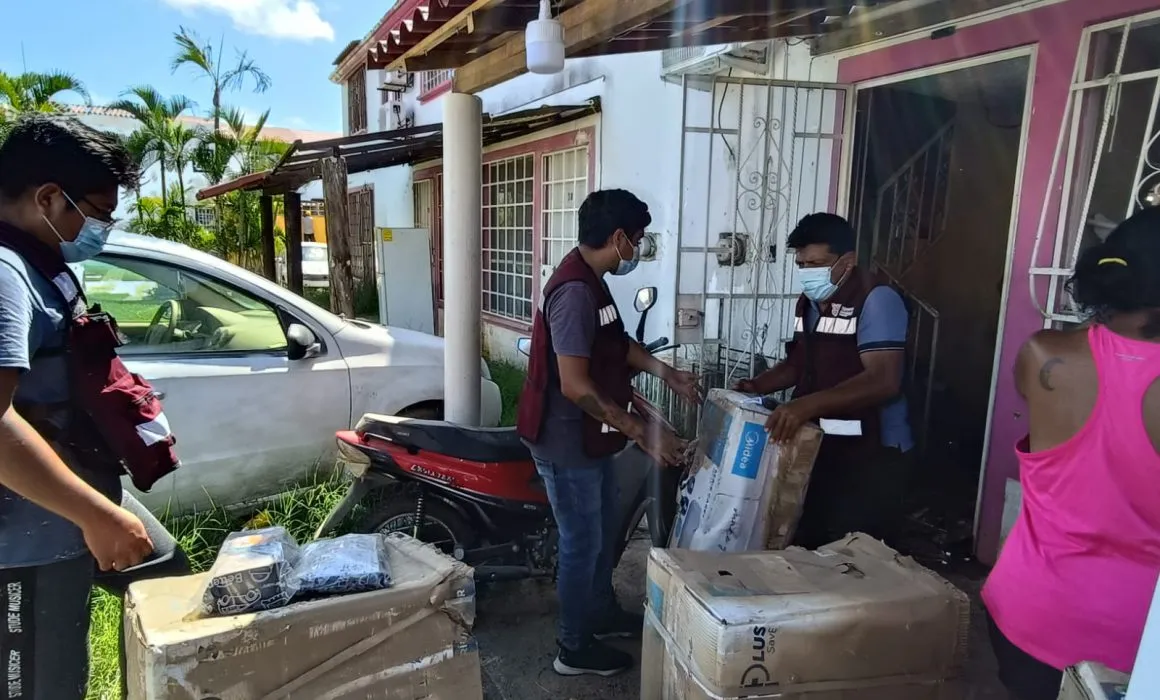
(851, 622)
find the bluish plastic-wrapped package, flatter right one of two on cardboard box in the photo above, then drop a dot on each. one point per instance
(346, 565)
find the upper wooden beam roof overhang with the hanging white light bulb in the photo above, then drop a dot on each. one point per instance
(485, 38)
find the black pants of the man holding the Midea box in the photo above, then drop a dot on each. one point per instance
(854, 488)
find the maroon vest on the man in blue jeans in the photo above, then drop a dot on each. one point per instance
(608, 365)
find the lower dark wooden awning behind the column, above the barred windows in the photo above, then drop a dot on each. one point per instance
(385, 149)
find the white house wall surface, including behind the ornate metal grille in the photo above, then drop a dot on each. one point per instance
(639, 148)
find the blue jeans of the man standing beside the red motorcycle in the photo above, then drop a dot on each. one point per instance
(585, 501)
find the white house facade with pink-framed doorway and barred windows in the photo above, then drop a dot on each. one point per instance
(976, 154)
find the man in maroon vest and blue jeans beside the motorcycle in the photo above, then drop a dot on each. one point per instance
(575, 417)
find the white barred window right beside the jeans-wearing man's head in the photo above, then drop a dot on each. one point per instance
(565, 183)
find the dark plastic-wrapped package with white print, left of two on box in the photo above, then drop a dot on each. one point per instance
(253, 572)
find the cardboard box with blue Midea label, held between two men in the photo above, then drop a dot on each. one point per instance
(743, 493)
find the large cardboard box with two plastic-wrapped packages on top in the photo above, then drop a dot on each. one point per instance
(405, 643)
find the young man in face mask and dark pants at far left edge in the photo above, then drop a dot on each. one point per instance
(61, 518)
